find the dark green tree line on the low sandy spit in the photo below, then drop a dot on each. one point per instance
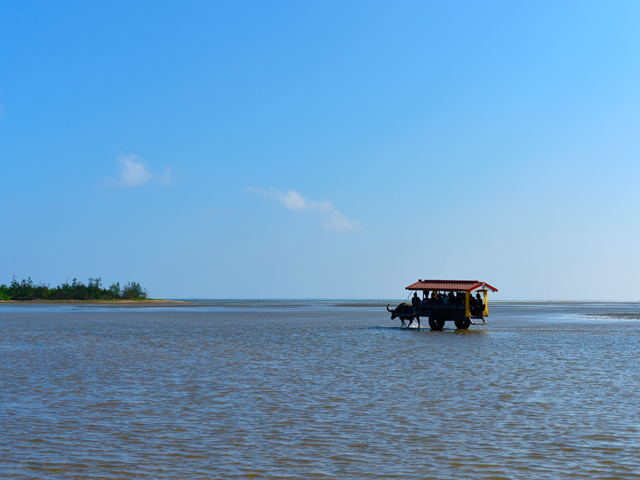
(28, 290)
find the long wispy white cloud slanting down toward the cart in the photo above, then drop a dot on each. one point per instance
(293, 200)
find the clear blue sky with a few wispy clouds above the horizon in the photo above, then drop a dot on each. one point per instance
(322, 149)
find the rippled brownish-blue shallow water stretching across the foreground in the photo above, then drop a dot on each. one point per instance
(317, 391)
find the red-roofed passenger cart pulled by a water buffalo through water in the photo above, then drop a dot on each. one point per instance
(463, 302)
